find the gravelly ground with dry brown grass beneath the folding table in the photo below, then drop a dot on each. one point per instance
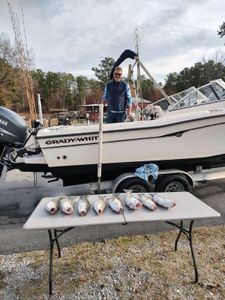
(140, 267)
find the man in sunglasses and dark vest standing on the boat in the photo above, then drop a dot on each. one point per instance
(118, 98)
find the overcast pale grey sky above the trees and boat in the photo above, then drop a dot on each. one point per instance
(74, 36)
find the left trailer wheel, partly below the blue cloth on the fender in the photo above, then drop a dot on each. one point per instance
(137, 185)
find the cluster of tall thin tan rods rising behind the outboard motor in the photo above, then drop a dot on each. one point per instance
(24, 62)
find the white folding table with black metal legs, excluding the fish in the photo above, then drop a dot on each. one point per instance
(188, 207)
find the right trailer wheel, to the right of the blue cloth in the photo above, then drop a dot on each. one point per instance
(173, 183)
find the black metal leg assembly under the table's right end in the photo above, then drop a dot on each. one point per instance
(188, 234)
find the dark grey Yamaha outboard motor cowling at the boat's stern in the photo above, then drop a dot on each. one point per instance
(13, 128)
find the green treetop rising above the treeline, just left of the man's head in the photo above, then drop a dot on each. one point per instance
(103, 72)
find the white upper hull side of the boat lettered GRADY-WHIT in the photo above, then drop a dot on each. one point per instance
(141, 141)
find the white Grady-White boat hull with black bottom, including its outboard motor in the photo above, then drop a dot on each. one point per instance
(185, 141)
